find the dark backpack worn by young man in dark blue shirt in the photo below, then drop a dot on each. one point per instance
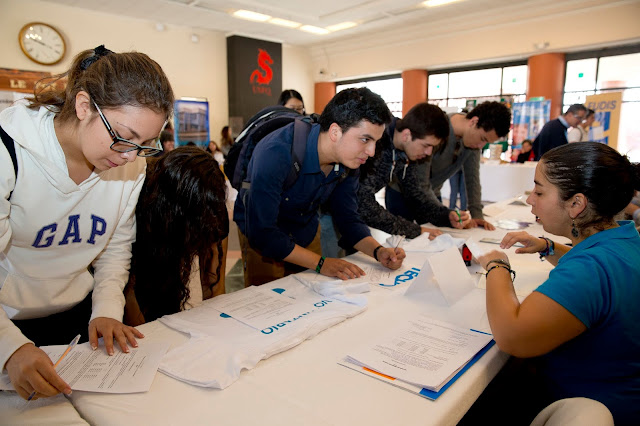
(260, 125)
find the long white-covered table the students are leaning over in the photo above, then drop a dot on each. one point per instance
(306, 385)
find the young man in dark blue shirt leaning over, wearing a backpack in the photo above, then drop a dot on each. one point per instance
(278, 226)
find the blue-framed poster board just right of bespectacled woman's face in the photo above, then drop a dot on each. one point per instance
(191, 122)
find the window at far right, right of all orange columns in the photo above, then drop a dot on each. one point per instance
(613, 69)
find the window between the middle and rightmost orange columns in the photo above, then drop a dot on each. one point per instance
(451, 89)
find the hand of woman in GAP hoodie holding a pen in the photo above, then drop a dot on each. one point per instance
(30, 370)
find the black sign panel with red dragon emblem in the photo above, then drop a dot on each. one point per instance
(254, 73)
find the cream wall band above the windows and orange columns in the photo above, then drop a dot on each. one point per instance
(477, 39)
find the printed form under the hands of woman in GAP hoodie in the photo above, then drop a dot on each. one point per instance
(87, 370)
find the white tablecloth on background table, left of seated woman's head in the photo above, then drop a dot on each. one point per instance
(501, 181)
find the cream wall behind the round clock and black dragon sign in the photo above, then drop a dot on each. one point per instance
(194, 69)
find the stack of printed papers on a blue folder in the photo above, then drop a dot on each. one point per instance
(423, 355)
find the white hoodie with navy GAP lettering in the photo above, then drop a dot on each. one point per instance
(52, 229)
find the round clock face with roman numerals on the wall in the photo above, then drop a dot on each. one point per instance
(42, 43)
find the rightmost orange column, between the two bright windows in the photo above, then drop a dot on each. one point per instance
(546, 78)
